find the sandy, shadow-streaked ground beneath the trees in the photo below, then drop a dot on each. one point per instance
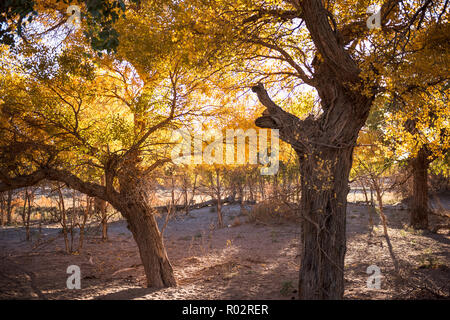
(241, 261)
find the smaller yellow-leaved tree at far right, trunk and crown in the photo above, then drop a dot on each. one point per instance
(417, 111)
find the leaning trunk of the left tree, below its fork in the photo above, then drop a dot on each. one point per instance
(153, 254)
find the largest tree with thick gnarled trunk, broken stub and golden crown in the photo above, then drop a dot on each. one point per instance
(327, 46)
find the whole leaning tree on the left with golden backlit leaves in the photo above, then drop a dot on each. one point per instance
(81, 118)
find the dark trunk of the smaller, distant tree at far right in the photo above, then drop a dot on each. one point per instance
(419, 201)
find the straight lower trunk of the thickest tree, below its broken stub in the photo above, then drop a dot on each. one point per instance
(324, 176)
